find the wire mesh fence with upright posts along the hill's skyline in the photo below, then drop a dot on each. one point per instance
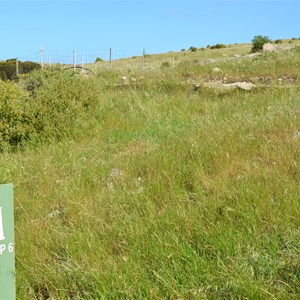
(107, 59)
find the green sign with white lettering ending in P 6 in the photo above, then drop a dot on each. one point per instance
(7, 253)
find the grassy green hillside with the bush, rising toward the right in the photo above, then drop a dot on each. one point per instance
(152, 189)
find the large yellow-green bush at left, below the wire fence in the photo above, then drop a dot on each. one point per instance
(44, 106)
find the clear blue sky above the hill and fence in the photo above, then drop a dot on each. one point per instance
(158, 26)
